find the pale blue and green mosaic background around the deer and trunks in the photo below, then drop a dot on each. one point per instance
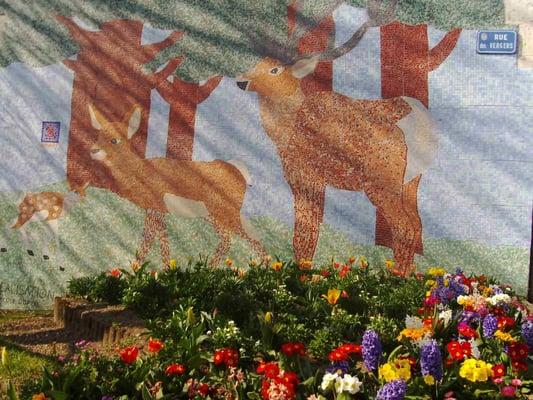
(475, 201)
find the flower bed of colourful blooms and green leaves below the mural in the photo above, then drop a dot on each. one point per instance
(281, 330)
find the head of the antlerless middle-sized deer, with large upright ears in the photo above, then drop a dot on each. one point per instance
(113, 142)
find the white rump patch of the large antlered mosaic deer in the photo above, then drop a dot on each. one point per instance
(422, 142)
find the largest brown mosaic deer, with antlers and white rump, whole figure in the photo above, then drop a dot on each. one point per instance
(380, 147)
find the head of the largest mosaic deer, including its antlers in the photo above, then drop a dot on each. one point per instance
(280, 73)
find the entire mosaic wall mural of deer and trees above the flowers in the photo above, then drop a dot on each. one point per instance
(309, 129)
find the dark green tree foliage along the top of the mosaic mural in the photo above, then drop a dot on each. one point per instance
(220, 35)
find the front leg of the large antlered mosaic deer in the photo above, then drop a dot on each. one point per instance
(308, 214)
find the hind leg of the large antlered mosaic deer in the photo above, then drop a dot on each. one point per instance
(388, 200)
